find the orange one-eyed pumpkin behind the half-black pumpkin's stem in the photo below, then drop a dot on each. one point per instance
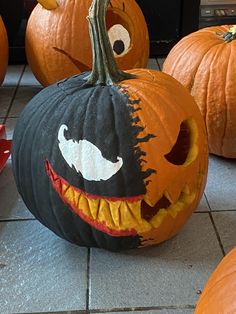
(57, 39)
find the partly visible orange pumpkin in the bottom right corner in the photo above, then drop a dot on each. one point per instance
(219, 294)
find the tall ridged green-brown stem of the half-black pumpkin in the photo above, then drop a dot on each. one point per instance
(105, 70)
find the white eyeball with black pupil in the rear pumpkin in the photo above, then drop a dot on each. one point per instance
(119, 39)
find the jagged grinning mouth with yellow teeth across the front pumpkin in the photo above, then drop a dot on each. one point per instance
(124, 216)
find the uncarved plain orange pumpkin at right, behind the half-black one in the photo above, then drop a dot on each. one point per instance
(204, 62)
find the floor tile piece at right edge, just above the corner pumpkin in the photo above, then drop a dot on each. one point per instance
(226, 225)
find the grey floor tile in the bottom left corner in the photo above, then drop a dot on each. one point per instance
(39, 272)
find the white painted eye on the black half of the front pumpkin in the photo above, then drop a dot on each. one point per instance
(86, 158)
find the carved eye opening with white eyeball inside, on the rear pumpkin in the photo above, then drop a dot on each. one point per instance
(119, 32)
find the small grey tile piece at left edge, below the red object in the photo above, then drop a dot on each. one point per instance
(12, 206)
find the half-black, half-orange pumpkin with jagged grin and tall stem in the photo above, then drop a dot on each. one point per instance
(109, 158)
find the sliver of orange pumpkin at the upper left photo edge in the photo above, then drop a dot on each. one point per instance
(3, 51)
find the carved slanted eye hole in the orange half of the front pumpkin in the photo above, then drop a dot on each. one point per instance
(184, 145)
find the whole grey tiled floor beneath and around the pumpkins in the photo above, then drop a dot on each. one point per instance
(40, 272)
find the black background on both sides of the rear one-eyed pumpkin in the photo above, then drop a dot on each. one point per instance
(168, 22)
